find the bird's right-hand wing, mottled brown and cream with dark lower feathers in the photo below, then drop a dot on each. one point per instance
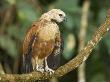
(53, 60)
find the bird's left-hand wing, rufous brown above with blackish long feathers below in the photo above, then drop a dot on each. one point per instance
(27, 49)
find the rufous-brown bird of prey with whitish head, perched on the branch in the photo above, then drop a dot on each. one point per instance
(43, 44)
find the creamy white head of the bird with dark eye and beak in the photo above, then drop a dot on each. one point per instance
(56, 15)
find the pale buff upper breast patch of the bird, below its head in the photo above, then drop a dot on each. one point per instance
(48, 31)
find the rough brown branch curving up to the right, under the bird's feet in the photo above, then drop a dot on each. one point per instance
(72, 64)
